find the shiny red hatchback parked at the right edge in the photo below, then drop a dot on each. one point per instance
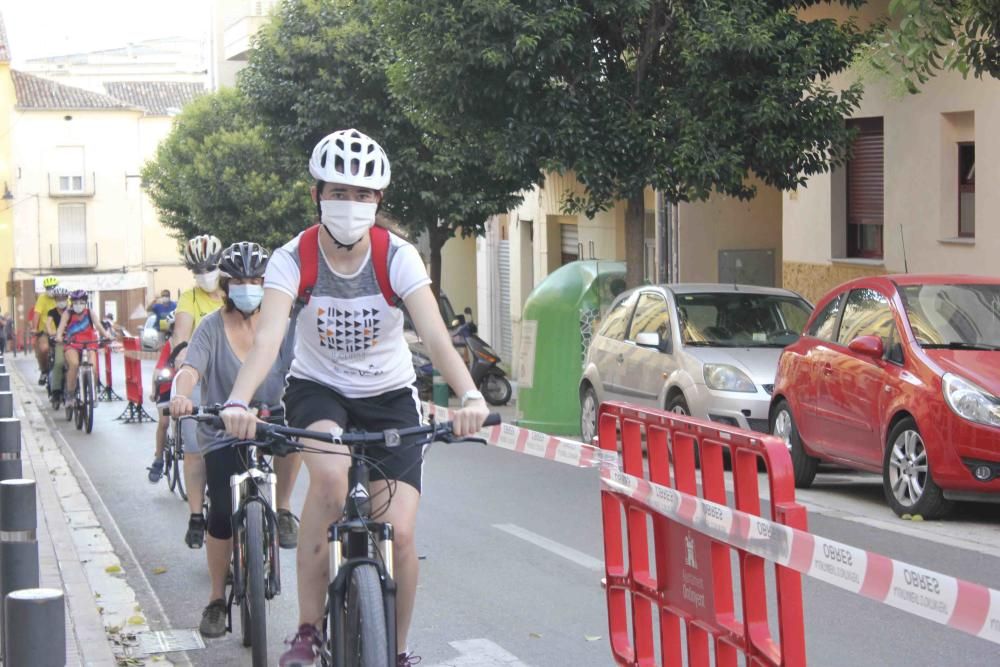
(899, 375)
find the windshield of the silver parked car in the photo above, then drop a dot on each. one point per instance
(740, 319)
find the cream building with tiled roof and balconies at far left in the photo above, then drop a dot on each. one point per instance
(77, 206)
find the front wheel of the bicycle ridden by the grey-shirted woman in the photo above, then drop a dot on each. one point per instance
(253, 611)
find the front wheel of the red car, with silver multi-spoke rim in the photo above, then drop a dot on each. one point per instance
(906, 474)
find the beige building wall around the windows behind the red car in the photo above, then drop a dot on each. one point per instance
(921, 211)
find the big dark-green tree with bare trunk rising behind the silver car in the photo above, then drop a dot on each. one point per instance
(687, 96)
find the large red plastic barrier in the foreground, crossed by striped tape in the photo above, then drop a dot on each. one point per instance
(689, 586)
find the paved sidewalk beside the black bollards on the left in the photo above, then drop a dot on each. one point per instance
(74, 554)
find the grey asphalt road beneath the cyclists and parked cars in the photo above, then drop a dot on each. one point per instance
(512, 552)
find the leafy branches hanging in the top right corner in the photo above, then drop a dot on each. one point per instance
(941, 35)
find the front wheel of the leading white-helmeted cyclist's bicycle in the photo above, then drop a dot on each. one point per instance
(366, 640)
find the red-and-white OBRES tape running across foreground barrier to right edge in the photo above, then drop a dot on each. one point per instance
(962, 605)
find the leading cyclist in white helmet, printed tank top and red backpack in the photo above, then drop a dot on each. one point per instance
(353, 371)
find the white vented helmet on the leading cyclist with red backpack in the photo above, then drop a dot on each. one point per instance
(350, 158)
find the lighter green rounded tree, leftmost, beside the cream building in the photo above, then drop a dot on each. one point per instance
(217, 173)
